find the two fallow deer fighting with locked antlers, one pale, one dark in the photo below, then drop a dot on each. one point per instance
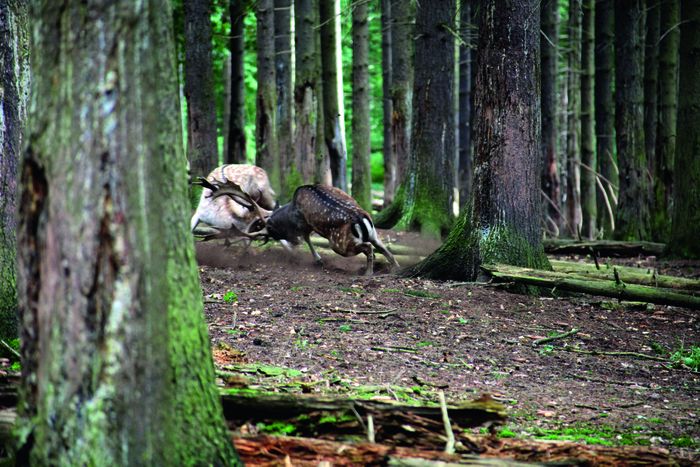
(326, 210)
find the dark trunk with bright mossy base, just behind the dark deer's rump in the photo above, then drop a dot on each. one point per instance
(424, 200)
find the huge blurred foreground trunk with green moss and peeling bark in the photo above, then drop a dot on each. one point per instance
(116, 365)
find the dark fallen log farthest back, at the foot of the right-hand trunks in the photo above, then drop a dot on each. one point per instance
(603, 247)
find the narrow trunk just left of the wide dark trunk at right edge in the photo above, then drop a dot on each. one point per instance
(668, 109)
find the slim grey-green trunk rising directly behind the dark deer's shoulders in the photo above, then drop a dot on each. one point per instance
(306, 92)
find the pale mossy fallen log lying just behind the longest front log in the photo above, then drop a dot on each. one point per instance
(627, 274)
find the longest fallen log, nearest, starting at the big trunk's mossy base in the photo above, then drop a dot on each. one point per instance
(606, 288)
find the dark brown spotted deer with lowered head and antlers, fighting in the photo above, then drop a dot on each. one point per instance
(326, 210)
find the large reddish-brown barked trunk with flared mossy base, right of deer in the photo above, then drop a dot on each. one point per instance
(503, 222)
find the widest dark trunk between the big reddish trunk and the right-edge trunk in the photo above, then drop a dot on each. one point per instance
(633, 206)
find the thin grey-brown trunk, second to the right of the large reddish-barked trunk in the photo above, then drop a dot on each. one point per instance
(573, 121)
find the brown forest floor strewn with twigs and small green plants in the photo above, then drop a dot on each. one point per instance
(333, 331)
